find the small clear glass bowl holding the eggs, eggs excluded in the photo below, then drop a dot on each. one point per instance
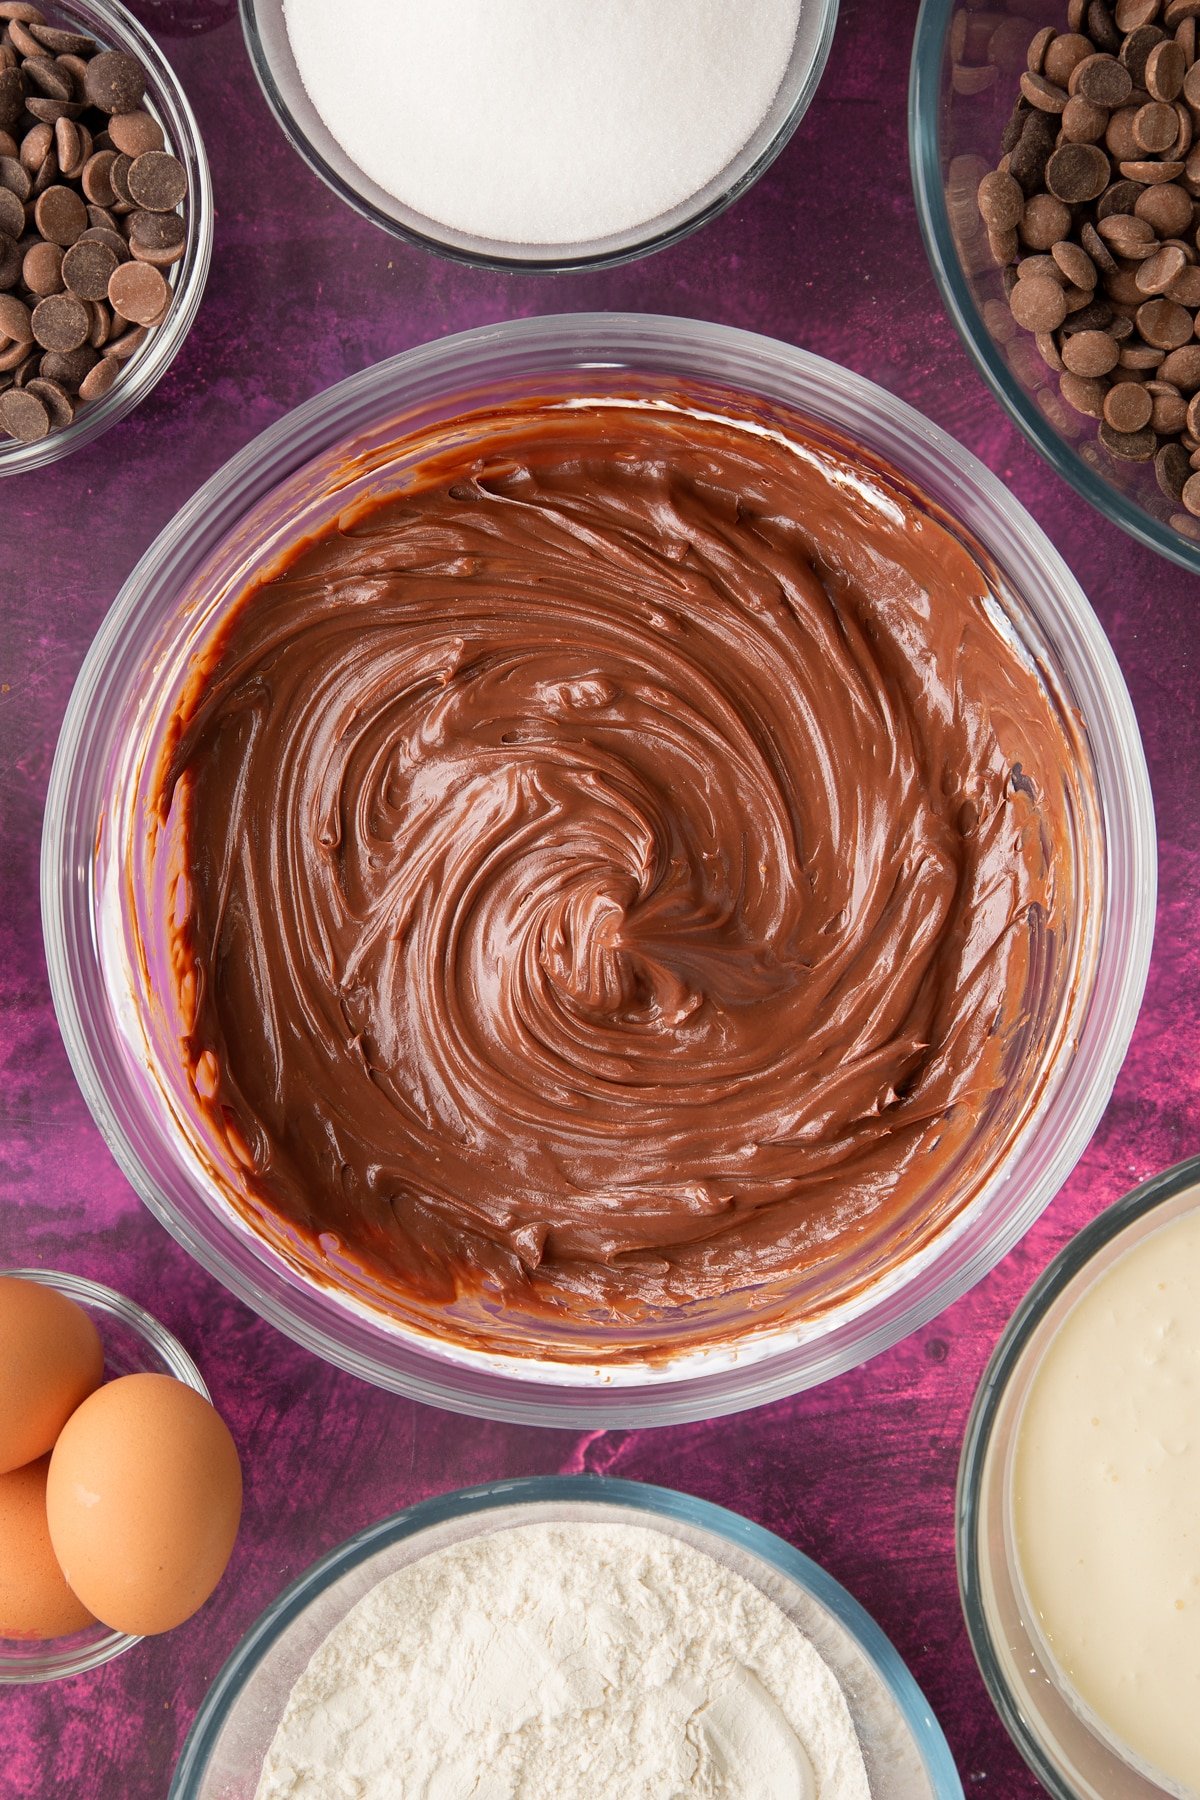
(134, 1345)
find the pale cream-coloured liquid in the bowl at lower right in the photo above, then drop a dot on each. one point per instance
(1107, 1498)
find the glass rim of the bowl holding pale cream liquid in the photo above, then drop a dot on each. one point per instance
(1129, 1210)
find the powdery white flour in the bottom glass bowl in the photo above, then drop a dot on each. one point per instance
(566, 1662)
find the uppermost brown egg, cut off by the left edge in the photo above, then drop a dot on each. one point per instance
(51, 1360)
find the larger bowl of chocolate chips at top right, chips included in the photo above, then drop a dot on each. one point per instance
(1059, 192)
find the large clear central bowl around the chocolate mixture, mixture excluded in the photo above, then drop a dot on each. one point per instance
(294, 478)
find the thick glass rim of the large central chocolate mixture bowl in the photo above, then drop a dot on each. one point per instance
(920, 449)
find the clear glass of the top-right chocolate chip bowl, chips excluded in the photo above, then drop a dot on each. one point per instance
(954, 139)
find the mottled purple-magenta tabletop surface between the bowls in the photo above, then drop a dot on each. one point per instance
(861, 1473)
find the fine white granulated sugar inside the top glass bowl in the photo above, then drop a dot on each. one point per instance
(542, 121)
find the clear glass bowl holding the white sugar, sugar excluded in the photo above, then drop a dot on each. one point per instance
(274, 64)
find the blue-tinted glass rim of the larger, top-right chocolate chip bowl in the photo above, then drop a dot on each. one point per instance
(944, 258)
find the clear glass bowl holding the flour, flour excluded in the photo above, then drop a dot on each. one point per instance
(904, 1749)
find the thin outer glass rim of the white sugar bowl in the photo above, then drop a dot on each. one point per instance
(553, 264)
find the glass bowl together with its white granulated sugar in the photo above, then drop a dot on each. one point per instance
(541, 134)
